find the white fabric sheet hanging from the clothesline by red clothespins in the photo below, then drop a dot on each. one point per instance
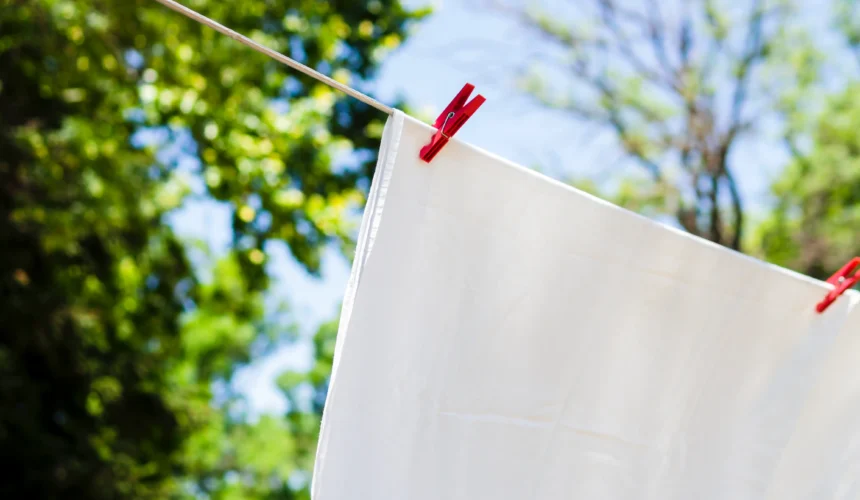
(507, 337)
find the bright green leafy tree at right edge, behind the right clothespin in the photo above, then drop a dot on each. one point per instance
(813, 225)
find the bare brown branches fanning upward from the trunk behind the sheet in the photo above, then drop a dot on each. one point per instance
(683, 58)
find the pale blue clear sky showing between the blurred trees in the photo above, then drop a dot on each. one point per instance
(459, 43)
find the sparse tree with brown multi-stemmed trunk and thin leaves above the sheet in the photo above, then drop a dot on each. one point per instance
(679, 84)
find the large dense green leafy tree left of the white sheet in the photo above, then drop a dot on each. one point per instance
(112, 340)
